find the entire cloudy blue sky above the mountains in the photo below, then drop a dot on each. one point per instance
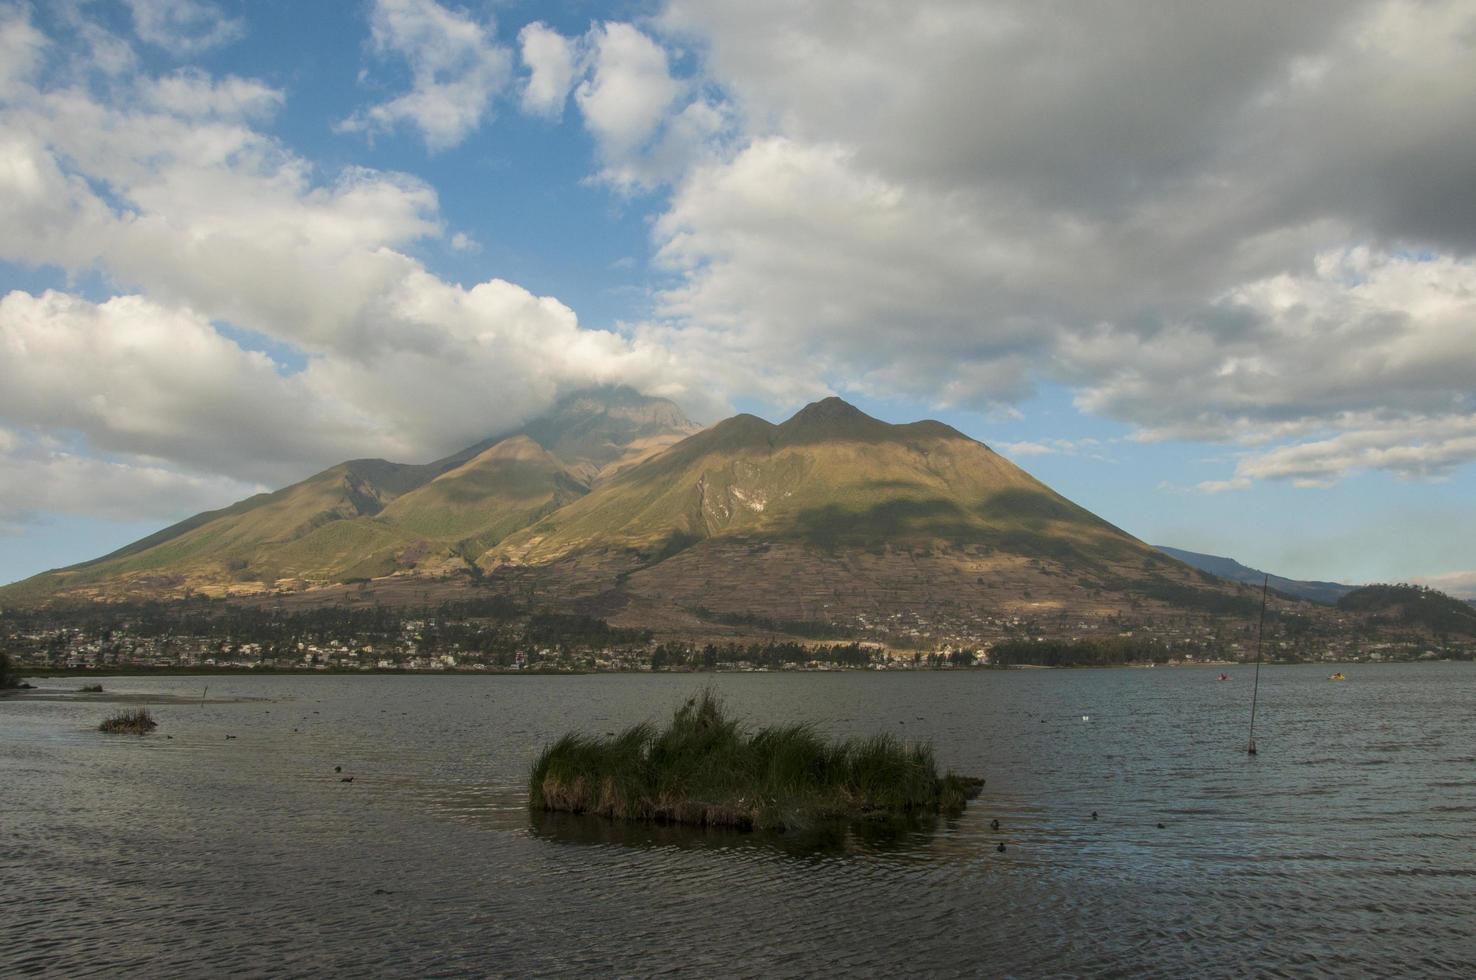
(1207, 269)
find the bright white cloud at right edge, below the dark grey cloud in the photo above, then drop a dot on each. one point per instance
(1360, 333)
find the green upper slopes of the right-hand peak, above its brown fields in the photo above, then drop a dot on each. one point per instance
(830, 477)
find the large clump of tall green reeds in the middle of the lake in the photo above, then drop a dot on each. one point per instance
(706, 770)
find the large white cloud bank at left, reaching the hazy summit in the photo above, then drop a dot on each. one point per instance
(215, 232)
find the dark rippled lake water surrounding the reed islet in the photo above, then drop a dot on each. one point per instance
(1347, 848)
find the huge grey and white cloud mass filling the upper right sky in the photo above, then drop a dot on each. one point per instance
(1233, 224)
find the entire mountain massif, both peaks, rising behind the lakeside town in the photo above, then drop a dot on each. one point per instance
(615, 505)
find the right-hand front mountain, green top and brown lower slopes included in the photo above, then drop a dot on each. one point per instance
(835, 516)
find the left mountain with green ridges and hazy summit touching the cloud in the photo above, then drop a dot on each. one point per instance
(371, 517)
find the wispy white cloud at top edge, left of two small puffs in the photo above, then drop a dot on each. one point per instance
(455, 64)
